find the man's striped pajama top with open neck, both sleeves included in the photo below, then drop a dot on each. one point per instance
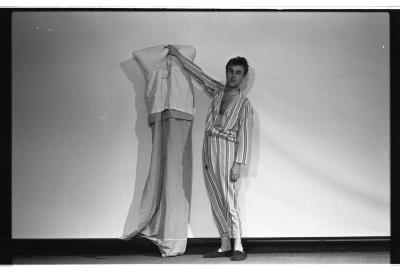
(235, 124)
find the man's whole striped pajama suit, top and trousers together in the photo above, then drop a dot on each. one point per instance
(226, 141)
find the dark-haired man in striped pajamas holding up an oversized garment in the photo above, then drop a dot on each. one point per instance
(225, 148)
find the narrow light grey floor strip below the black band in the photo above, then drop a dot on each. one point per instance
(381, 257)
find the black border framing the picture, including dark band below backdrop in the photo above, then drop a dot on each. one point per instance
(11, 247)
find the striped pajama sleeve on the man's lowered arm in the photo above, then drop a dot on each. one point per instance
(245, 126)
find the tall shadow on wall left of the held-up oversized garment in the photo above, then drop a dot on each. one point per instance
(143, 134)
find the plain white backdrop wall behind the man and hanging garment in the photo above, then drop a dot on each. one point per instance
(319, 85)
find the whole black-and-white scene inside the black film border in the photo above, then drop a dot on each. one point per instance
(200, 136)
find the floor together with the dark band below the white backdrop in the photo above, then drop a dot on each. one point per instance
(141, 251)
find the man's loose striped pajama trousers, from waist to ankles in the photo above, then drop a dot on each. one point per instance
(218, 158)
